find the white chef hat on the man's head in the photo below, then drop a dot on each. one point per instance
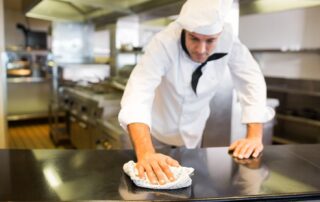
(204, 16)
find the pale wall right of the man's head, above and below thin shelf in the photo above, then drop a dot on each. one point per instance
(288, 30)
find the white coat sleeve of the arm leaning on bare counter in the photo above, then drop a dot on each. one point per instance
(249, 84)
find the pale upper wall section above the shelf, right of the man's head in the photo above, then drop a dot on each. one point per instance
(291, 29)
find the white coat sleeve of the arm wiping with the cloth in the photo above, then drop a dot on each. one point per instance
(137, 100)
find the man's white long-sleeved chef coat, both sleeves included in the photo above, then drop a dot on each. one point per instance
(159, 92)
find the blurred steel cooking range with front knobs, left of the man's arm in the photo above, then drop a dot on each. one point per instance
(85, 108)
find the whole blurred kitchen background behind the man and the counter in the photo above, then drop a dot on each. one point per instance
(65, 63)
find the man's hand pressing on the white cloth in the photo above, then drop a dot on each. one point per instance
(156, 166)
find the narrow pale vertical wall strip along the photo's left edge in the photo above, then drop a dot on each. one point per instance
(3, 123)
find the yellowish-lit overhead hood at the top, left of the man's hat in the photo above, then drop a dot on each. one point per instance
(98, 11)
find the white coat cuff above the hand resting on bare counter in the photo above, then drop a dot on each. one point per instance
(257, 114)
